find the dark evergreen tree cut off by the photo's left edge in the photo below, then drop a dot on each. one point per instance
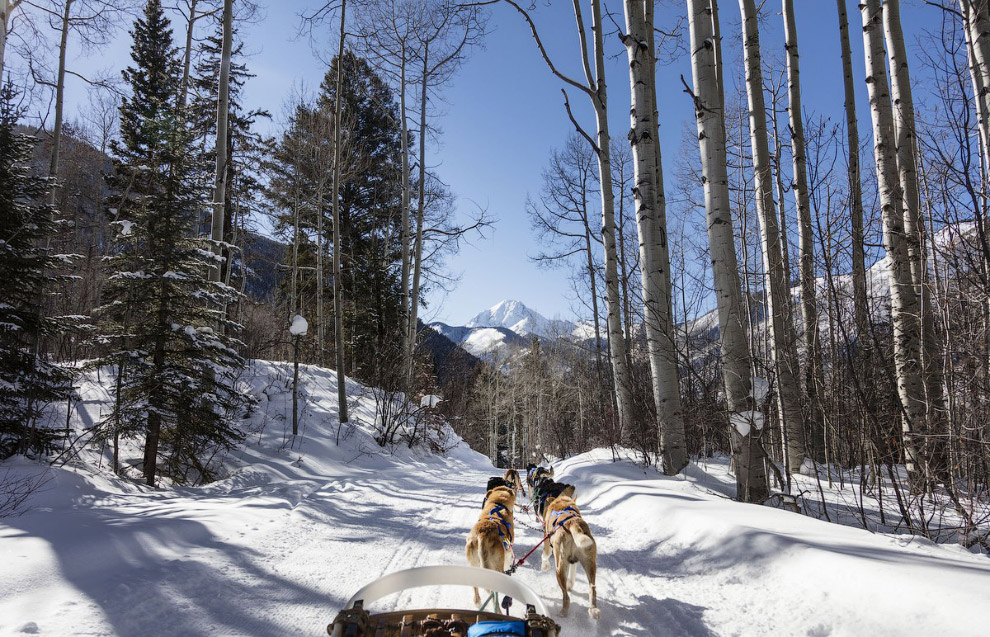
(28, 269)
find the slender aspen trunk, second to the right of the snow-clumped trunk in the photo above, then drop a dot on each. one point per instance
(806, 240)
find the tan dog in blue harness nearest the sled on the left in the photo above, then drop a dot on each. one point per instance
(489, 544)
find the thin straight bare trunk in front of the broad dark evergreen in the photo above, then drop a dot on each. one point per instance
(338, 288)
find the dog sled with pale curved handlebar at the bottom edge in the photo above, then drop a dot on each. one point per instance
(356, 621)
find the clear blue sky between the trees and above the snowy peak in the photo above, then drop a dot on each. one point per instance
(503, 113)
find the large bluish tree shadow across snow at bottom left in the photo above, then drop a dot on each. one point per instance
(138, 570)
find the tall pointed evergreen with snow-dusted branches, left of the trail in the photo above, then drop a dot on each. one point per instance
(162, 320)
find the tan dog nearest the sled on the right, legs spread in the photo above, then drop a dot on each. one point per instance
(571, 542)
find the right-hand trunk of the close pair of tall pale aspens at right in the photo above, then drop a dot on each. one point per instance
(905, 132)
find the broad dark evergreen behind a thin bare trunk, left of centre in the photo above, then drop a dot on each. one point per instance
(370, 198)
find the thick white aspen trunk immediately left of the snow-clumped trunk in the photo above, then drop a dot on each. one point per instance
(651, 221)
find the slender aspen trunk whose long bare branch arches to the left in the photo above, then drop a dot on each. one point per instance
(618, 352)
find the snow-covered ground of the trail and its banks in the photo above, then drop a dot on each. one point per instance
(279, 545)
